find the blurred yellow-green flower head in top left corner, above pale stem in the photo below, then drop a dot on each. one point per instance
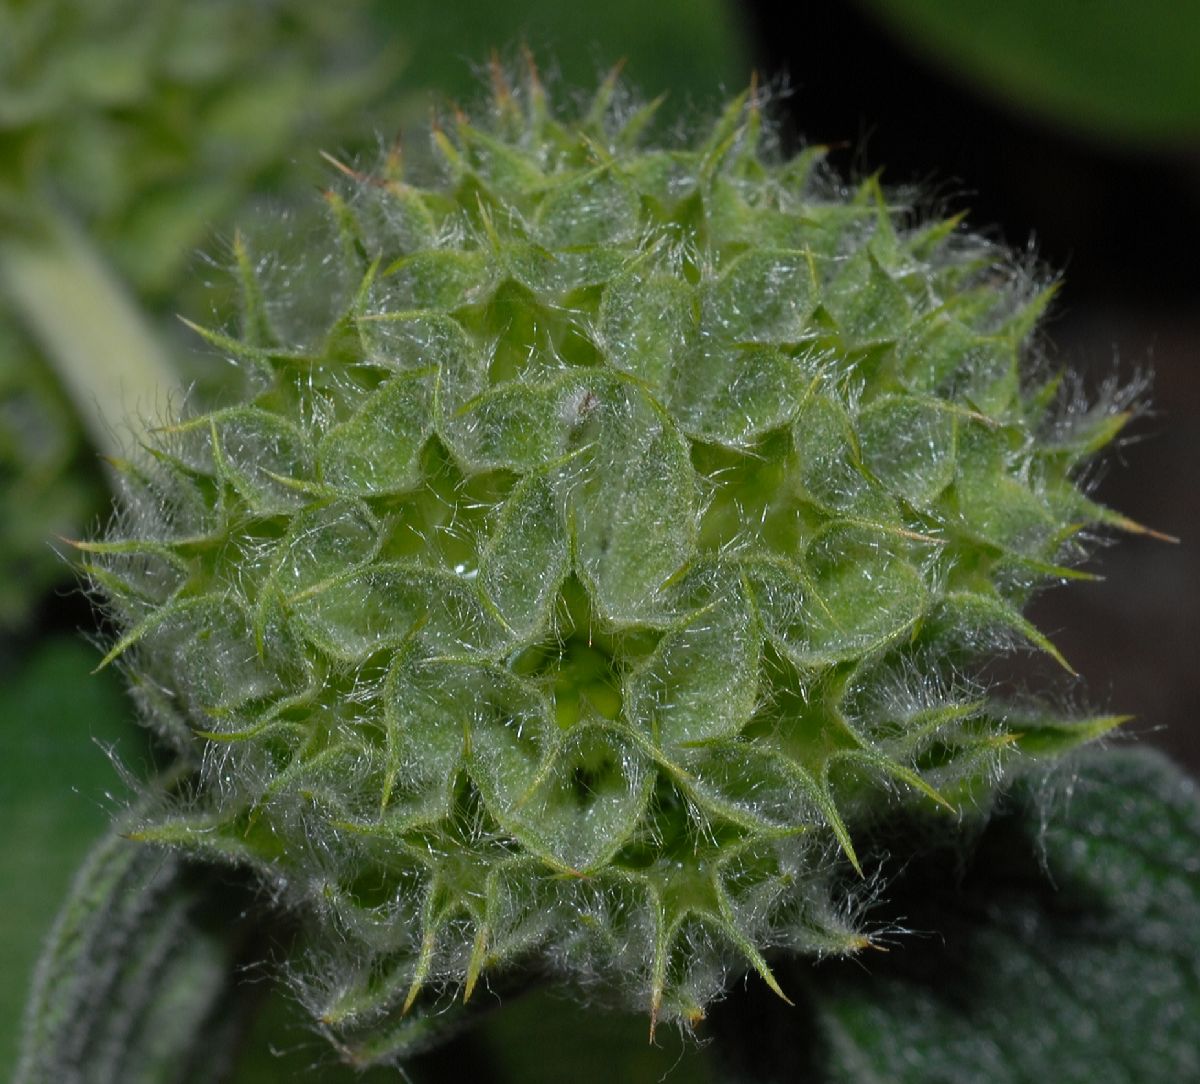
(152, 123)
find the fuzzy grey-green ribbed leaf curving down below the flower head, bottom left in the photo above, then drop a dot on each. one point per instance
(129, 939)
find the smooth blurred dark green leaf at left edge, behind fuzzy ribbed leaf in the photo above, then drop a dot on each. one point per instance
(53, 796)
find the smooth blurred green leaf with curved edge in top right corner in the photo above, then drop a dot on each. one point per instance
(1114, 69)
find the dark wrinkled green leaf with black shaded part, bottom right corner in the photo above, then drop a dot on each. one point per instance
(1067, 949)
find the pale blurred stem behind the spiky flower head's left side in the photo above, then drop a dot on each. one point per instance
(106, 356)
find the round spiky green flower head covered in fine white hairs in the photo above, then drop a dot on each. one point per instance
(608, 532)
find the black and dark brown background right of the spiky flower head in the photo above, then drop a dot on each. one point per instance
(1123, 224)
